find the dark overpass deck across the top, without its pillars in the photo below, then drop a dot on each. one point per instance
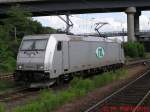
(77, 6)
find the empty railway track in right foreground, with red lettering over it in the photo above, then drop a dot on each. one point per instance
(130, 97)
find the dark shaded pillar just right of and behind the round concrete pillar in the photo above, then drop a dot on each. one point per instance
(137, 22)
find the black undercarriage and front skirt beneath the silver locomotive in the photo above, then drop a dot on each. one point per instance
(36, 79)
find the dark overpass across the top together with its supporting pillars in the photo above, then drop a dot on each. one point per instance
(132, 8)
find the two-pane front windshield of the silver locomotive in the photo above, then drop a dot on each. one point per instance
(34, 44)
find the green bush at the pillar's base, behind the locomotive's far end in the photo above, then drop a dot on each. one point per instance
(134, 49)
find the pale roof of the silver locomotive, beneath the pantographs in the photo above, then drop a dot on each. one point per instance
(65, 37)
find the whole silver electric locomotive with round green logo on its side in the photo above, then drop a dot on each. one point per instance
(44, 59)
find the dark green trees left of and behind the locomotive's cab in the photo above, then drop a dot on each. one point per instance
(17, 24)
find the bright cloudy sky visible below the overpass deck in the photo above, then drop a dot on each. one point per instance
(85, 23)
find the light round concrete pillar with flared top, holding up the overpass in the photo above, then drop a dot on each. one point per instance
(130, 11)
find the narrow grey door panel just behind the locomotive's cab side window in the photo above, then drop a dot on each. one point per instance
(65, 56)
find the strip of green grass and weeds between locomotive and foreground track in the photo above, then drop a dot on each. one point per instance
(50, 100)
